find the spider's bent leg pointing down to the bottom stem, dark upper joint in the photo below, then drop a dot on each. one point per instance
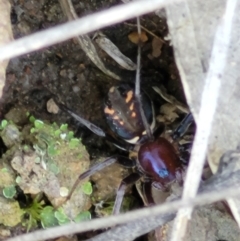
(132, 178)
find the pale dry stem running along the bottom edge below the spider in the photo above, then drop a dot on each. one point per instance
(170, 208)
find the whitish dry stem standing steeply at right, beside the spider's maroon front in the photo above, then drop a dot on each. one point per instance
(206, 116)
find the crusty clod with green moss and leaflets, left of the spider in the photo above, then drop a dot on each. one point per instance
(54, 153)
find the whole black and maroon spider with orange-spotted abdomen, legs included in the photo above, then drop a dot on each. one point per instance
(156, 159)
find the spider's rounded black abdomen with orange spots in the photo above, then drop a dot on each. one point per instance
(123, 113)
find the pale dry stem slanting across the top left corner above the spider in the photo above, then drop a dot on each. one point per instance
(81, 26)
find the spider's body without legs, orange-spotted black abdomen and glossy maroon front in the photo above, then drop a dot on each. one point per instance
(157, 159)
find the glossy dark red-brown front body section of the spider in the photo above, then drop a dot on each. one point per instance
(159, 160)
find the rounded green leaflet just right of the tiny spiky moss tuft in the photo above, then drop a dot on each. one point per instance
(47, 217)
